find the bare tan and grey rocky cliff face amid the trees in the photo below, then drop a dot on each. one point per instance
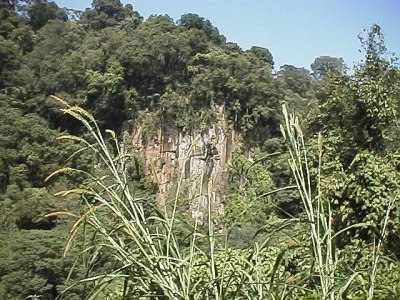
(194, 162)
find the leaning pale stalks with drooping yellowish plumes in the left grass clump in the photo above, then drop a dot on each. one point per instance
(119, 201)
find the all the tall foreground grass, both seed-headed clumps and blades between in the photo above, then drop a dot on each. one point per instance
(143, 245)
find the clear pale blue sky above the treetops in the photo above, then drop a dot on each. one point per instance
(295, 31)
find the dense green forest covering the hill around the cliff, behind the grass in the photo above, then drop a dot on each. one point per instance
(126, 70)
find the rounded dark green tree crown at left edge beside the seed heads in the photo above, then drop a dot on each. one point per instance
(28, 148)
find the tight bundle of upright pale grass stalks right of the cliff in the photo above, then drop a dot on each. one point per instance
(319, 218)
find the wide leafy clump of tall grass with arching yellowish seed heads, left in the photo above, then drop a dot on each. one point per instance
(134, 239)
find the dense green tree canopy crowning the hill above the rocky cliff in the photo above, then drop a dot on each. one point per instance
(114, 64)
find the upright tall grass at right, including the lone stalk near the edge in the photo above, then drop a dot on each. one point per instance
(320, 216)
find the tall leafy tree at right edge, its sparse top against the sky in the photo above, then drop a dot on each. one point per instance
(359, 164)
